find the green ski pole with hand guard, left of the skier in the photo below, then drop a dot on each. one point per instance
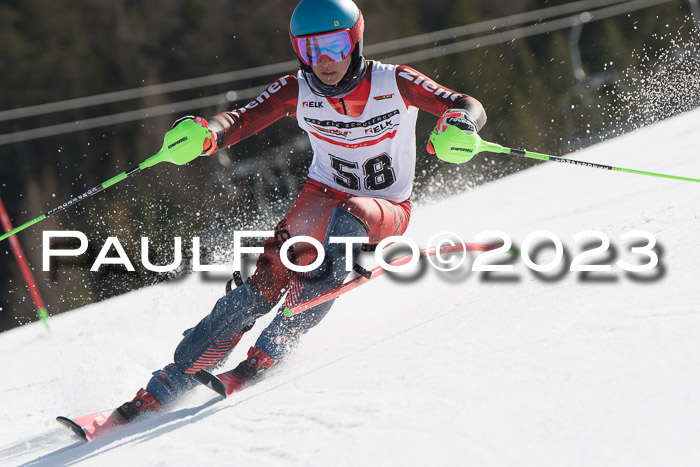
(181, 145)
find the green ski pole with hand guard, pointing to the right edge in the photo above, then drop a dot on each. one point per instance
(454, 146)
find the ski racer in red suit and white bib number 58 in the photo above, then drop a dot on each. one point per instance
(360, 117)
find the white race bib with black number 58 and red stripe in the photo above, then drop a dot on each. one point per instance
(371, 155)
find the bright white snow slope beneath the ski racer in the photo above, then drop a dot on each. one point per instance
(441, 369)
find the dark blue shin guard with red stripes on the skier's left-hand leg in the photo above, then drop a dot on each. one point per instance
(214, 337)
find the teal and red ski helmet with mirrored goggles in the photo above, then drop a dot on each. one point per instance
(341, 23)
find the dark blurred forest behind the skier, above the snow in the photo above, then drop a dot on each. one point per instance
(53, 51)
